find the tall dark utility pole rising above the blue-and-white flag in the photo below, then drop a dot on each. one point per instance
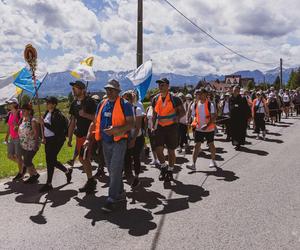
(139, 54)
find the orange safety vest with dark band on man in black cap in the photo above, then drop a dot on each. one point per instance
(165, 111)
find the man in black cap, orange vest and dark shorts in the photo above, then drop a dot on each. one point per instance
(168, 109)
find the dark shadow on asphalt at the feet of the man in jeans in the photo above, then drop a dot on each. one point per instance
(138, 222)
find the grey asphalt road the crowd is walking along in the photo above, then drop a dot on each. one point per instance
(252, 201)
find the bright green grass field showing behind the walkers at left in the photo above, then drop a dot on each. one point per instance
(9, 168)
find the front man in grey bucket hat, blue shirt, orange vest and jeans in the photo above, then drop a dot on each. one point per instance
(113, 121)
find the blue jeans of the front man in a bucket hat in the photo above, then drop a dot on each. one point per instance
(114, 155)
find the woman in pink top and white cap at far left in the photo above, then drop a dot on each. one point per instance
(12, 136)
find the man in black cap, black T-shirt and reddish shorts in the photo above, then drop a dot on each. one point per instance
(82, 113)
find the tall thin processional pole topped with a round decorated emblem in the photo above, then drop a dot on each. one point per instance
(30, 56)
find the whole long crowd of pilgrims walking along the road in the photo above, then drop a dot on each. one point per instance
(112, 131)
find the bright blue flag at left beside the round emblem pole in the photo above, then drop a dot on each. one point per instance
(24, 81)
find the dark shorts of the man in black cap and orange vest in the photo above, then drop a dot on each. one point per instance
(167, 136)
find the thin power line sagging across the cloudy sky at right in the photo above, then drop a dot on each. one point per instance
(214, 39)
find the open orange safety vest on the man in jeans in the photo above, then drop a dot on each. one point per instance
(118, 119)
